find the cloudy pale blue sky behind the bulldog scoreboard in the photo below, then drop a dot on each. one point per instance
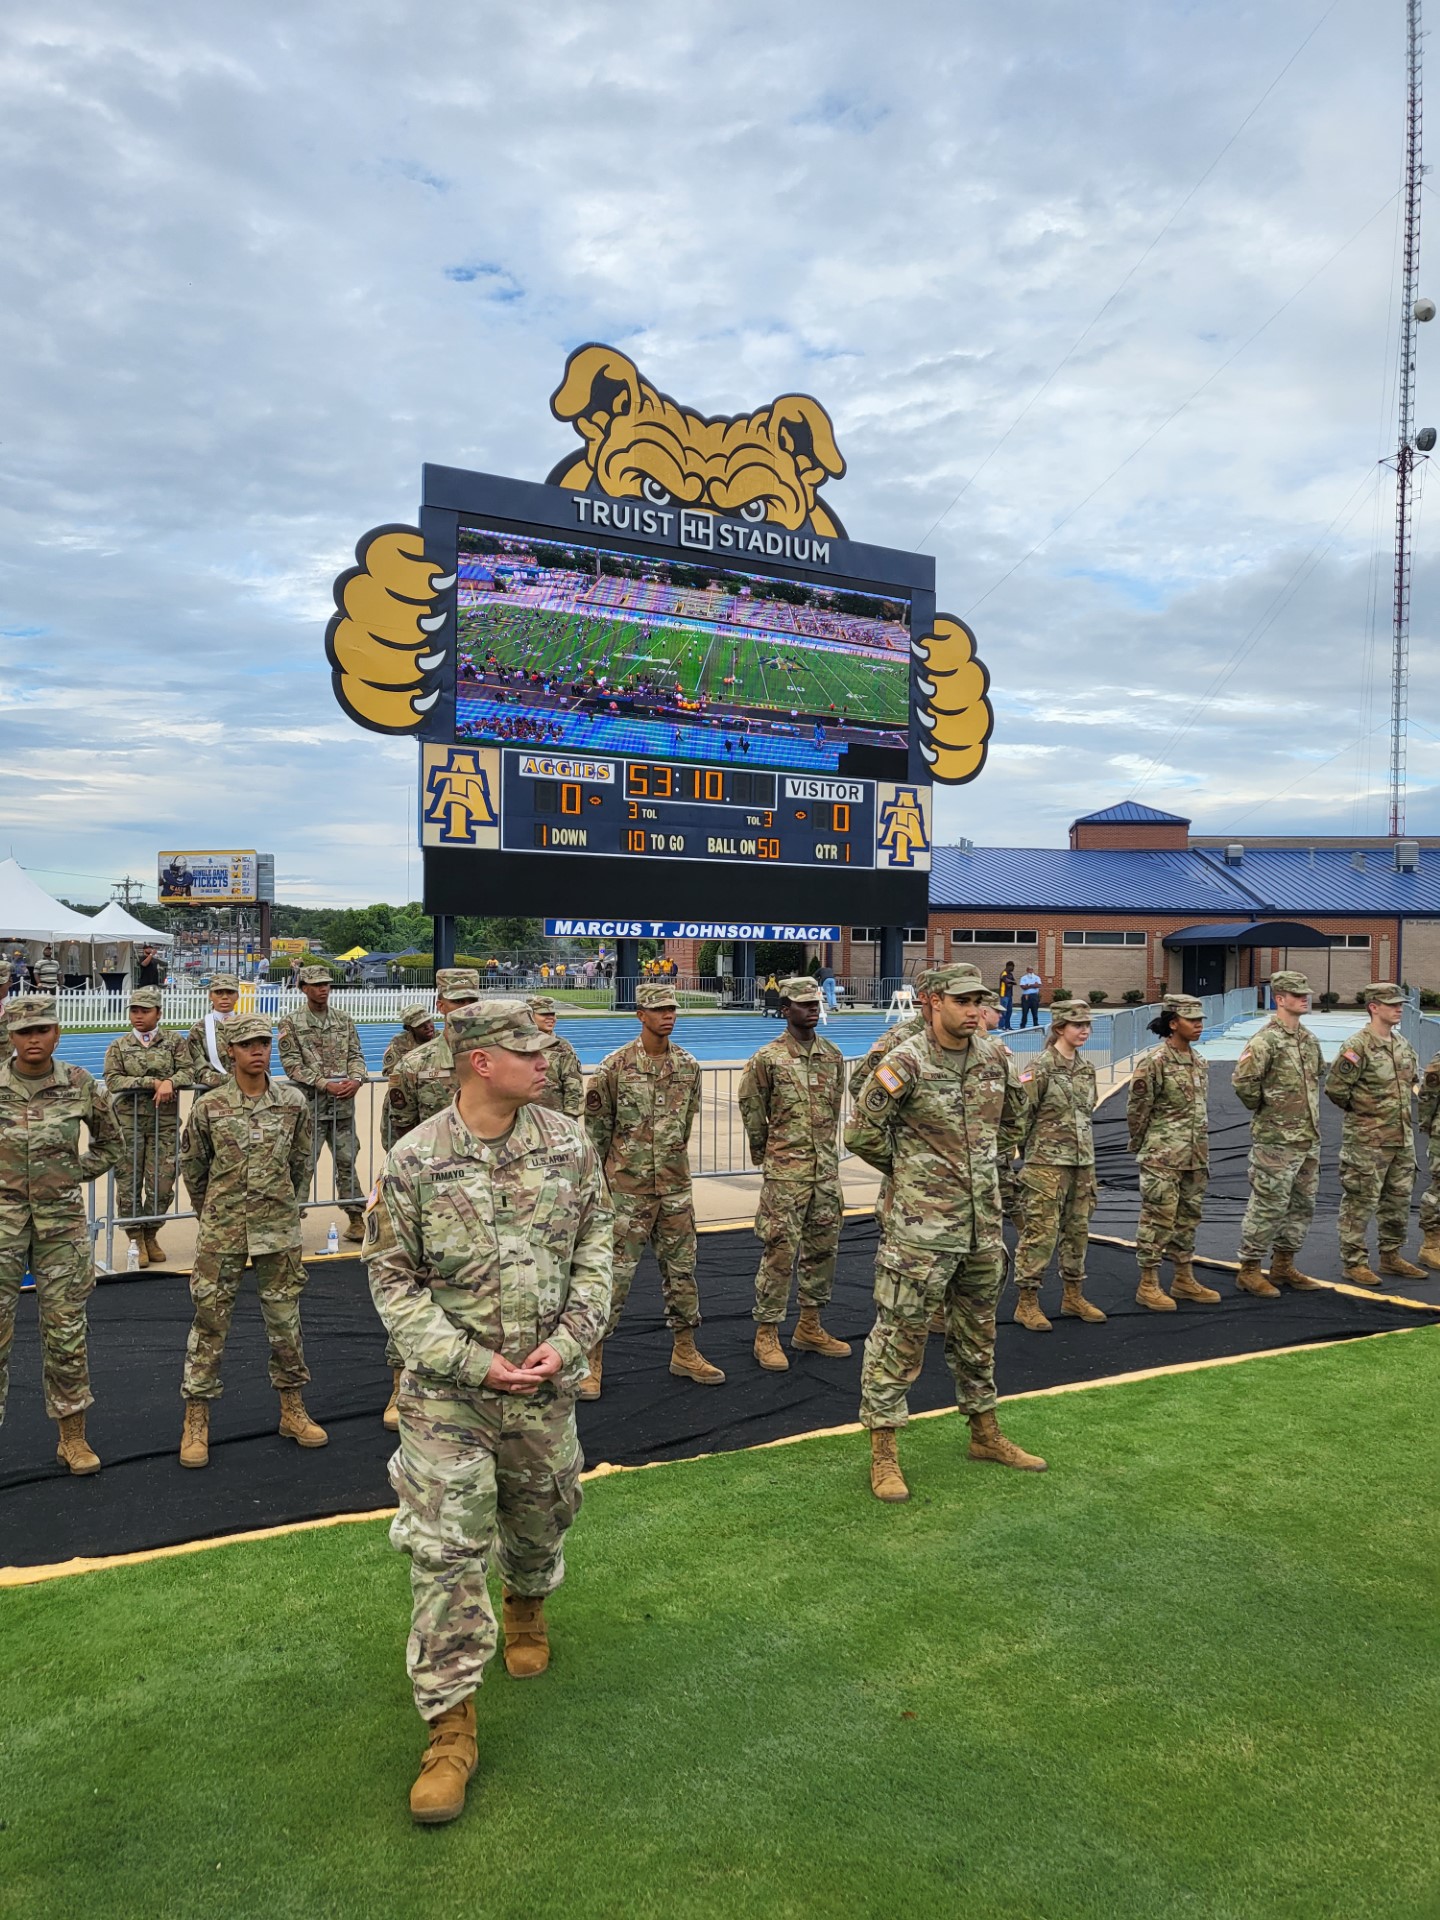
(1103, 300)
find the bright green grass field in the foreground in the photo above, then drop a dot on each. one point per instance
(1188, 1673)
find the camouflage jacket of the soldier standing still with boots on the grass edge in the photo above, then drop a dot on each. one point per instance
(932, 1118)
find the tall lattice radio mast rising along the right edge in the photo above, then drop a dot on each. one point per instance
(1410, 314)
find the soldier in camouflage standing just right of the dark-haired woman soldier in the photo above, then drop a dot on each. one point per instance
(1280, 1078)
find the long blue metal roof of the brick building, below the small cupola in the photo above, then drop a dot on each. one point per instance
(1116, 880)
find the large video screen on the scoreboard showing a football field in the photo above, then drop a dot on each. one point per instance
(579, 648)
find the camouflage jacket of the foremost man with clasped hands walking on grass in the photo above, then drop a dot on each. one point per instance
(477, 1251)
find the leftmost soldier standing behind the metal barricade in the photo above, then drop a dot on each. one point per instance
(145, 1072)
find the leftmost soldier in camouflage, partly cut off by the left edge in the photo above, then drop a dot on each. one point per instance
(43, 1214)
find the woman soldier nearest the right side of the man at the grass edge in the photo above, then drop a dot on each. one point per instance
(1057, 1141)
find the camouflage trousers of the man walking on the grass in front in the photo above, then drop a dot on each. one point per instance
(477, 1476)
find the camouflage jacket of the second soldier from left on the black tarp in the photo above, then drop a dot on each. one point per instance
(247, 1166)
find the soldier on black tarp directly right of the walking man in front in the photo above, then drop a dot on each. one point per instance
(640, 1111)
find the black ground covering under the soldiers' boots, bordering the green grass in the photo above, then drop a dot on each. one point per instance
(145, 1499)
